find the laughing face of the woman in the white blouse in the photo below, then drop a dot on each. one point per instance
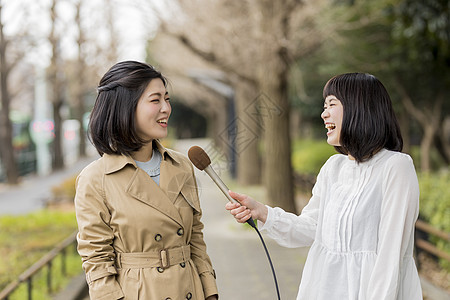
(332, 115)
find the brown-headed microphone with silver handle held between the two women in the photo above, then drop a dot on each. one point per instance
(202, 162)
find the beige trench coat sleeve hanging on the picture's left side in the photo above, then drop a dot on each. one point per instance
(95, 238)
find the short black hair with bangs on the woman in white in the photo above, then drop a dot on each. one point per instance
(369, 123)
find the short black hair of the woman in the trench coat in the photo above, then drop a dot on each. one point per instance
(112, 128)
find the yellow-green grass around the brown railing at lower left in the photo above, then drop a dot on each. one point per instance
(27, 238)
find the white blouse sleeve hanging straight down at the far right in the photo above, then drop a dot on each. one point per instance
(399, 211)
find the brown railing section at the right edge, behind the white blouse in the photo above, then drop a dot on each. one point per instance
(424, 245)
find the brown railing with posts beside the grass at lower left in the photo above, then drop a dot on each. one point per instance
(47, 260)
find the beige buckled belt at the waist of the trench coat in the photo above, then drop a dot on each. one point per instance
(163, 258)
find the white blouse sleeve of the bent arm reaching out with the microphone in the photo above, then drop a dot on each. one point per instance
(290, 230)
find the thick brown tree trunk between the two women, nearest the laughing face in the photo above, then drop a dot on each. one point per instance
(273, 106)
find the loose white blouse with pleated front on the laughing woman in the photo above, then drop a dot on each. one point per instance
(359, 223)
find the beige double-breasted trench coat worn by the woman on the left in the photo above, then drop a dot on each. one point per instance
(138, 240)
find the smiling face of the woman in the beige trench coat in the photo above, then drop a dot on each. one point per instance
(153, 111)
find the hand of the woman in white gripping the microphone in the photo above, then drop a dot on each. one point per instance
(248, 208)
